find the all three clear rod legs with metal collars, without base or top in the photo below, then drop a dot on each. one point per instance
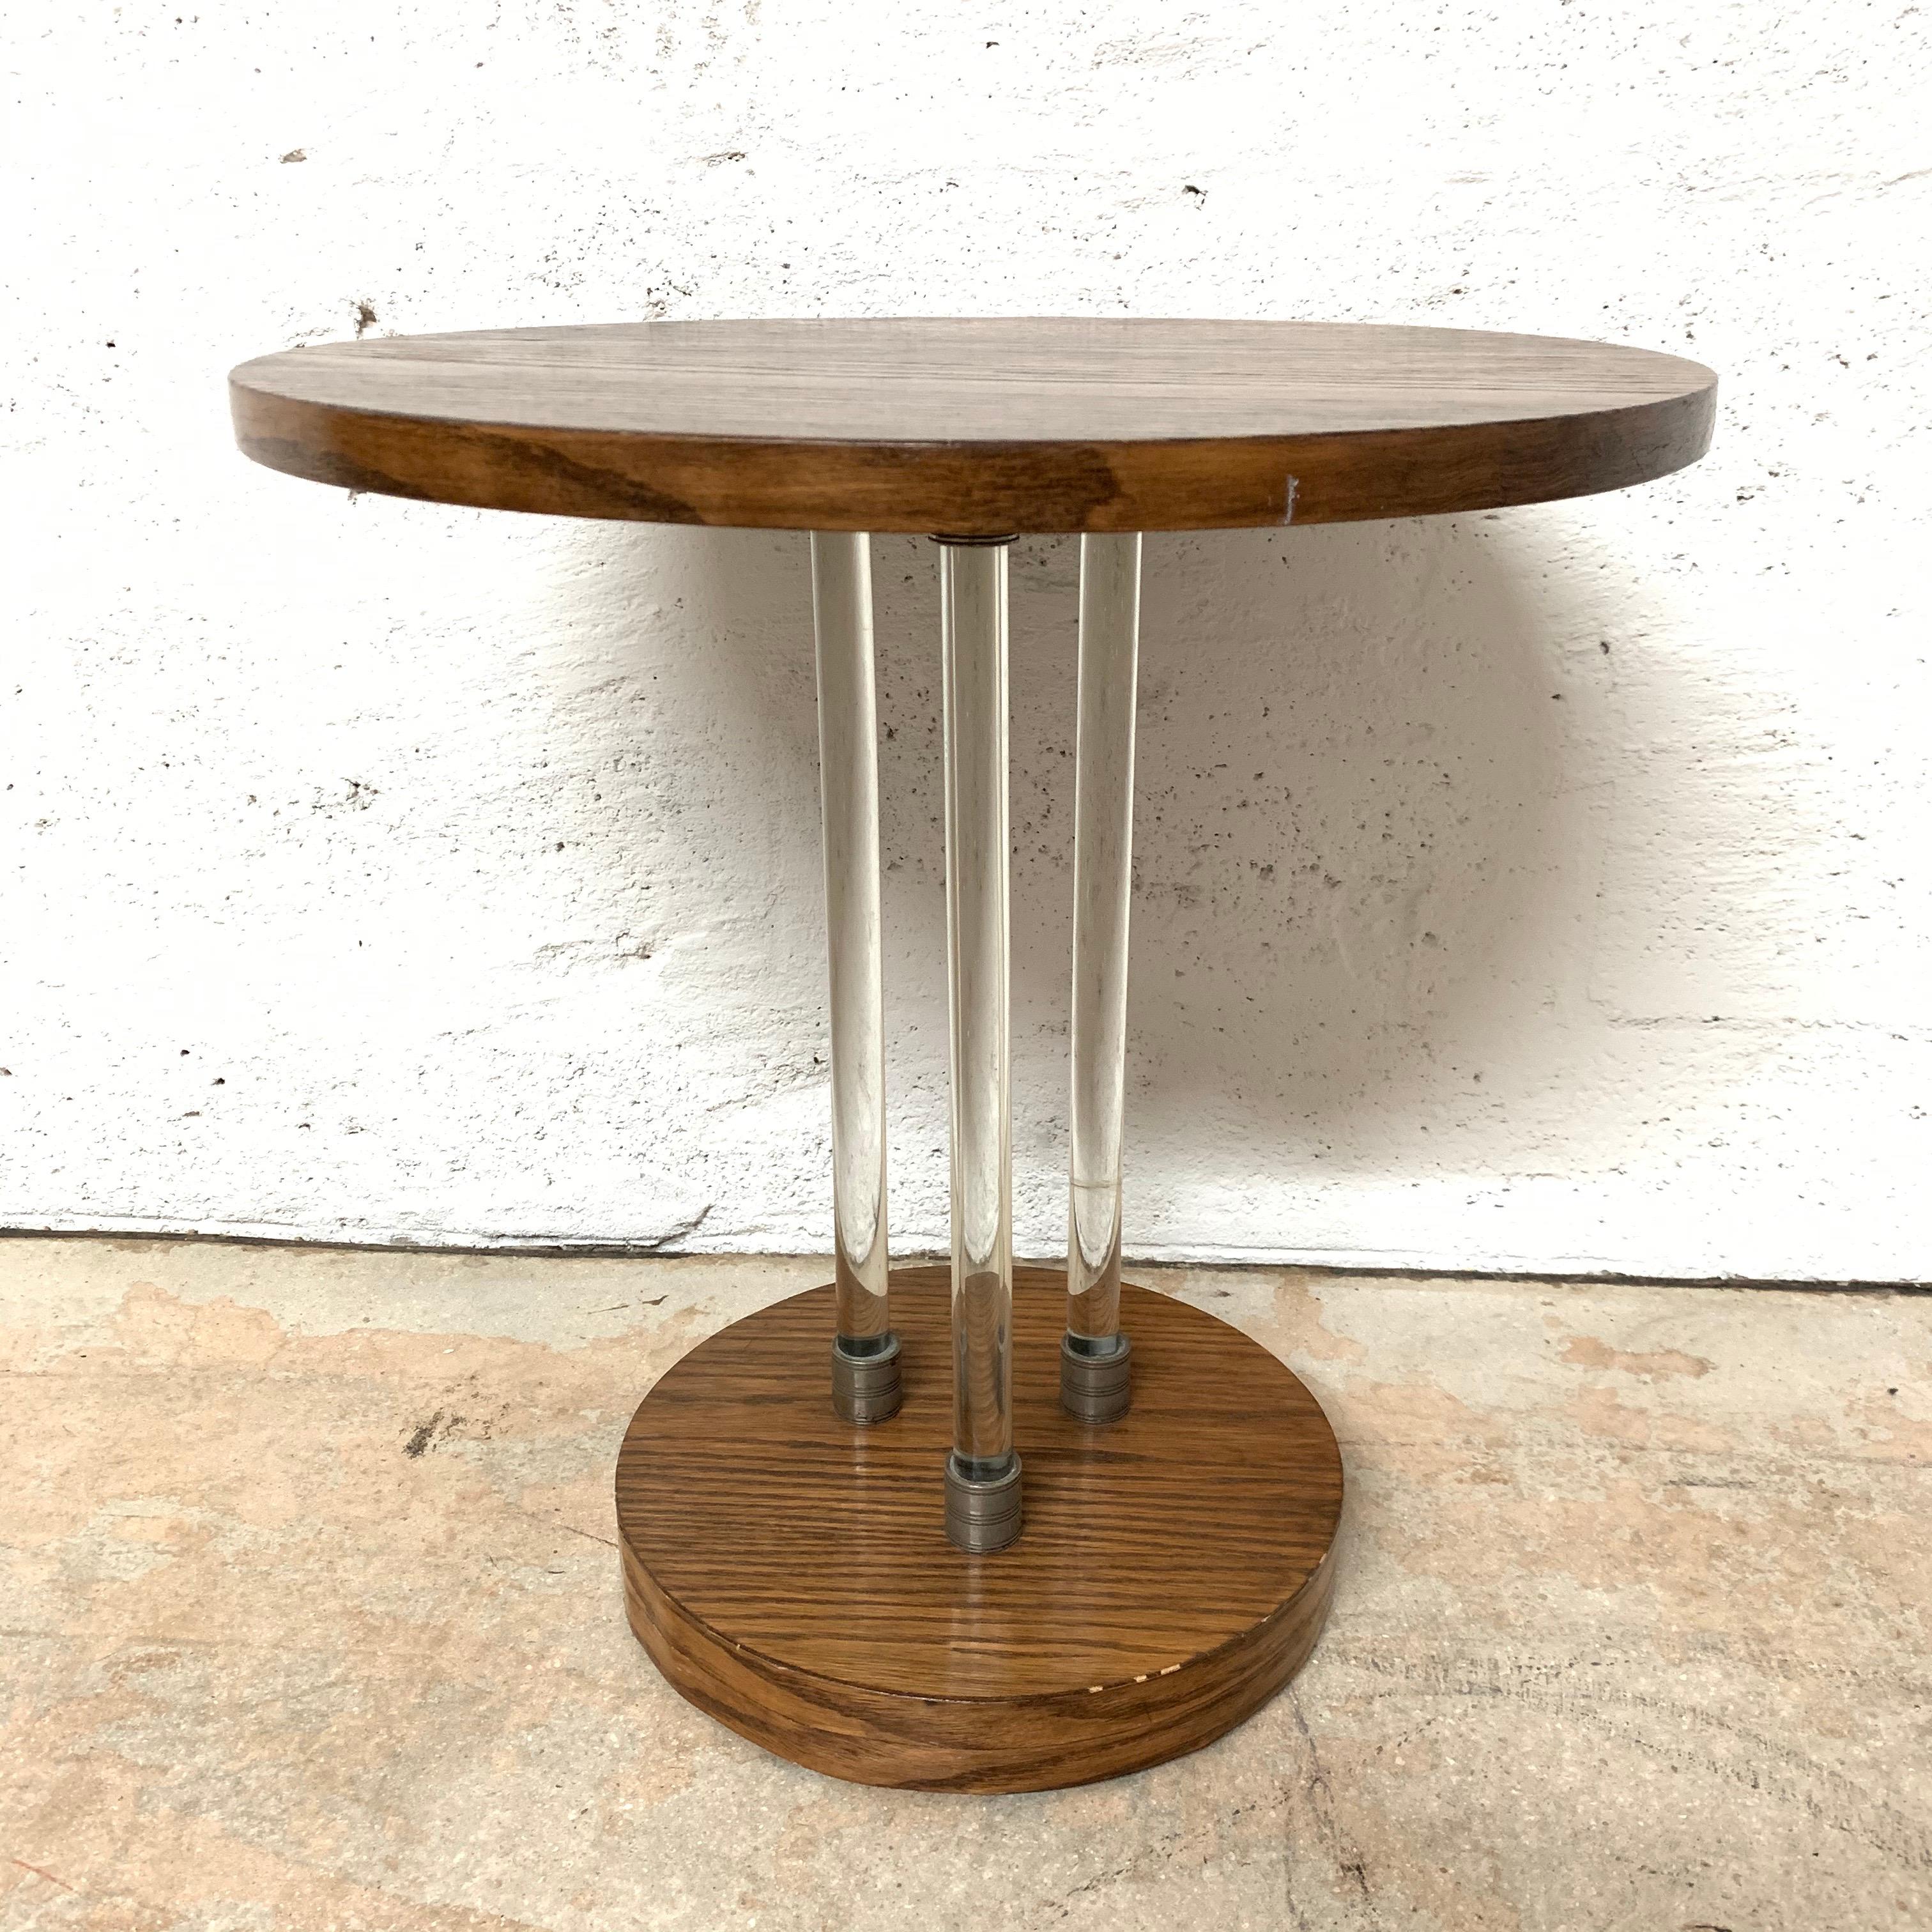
(982, 1471)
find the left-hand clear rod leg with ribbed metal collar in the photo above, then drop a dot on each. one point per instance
(865, 1348)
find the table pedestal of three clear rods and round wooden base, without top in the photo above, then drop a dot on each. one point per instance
(859, 1585)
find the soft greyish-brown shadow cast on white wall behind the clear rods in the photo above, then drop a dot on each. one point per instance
(1353, 838)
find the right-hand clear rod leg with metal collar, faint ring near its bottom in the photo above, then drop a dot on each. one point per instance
(1096, 1361)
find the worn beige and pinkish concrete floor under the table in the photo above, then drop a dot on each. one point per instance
(312, 1620)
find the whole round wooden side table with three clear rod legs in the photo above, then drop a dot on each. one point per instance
(979, 1527)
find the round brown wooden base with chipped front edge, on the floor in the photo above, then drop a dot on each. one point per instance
(791, 1574)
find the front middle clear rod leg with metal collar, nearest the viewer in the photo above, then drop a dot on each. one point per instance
(982, 1471)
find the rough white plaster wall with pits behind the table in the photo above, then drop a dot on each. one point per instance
(1541, 890)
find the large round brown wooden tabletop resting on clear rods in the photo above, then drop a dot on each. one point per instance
(977, 428)
